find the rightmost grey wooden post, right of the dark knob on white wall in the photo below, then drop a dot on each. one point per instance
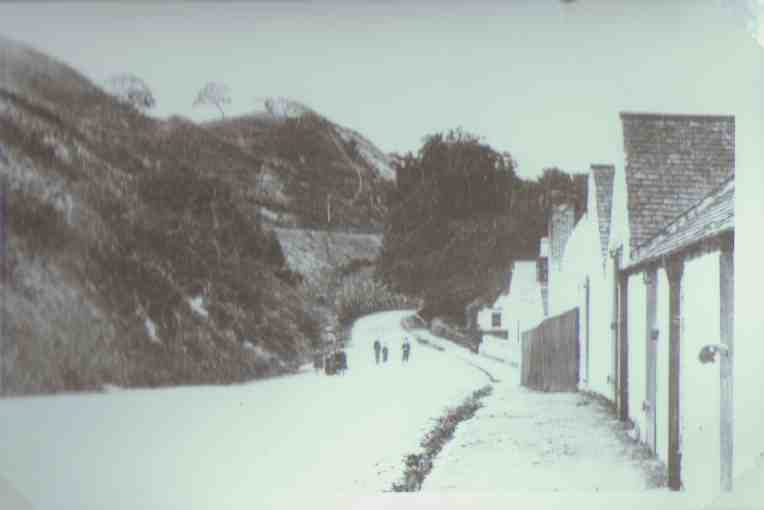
(727, 330)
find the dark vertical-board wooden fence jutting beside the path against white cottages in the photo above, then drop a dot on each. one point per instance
(550, 354)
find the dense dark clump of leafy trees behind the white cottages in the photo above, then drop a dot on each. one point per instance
(460, 216)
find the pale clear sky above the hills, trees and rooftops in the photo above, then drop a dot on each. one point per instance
(544, 80)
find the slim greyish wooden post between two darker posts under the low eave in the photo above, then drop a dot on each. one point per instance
(651, 338)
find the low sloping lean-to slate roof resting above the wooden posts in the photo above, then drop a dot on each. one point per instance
(713, 215)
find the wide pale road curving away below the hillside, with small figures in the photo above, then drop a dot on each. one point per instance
(239, 446)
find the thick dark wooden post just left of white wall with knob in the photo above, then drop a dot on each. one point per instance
(674, 271)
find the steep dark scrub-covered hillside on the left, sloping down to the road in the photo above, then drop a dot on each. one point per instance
(135, 253)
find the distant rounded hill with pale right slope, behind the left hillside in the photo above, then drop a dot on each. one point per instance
(313, 172)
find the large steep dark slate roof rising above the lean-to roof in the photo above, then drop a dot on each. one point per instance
(672, 162)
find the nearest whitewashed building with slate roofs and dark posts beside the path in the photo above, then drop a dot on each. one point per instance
(657, 327)
